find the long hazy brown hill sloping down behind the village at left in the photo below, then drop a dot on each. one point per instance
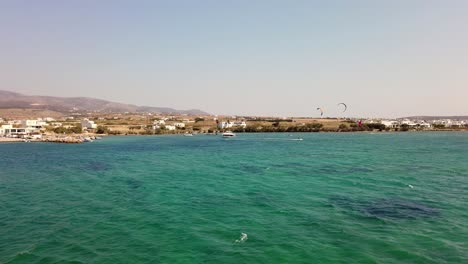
(12, 100)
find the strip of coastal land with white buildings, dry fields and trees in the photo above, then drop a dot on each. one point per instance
(83, 128)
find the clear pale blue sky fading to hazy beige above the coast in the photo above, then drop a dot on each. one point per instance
(247, 57)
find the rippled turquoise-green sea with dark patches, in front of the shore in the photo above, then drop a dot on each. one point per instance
(330, 198)
